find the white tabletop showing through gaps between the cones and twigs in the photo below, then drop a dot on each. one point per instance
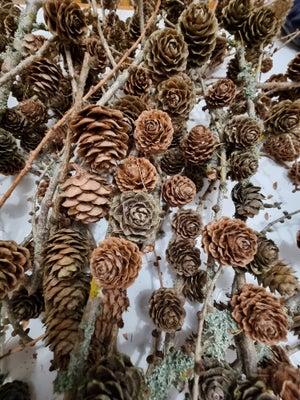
(32, 365)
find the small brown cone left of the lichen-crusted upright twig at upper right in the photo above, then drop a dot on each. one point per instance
(221, 94)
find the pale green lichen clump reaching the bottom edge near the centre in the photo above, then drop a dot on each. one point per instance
(173, 371)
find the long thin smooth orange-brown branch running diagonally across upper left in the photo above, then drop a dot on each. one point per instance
(45, 139)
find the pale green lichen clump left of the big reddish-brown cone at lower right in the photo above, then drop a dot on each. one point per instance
(218, 333)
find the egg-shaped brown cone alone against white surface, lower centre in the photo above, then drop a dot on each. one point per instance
(166, 309)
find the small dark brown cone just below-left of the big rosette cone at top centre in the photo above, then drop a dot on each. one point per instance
(138, 82)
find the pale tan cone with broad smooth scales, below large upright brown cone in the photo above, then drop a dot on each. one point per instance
(86, 196)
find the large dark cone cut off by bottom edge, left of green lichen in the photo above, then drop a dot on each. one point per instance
(114, 377)
